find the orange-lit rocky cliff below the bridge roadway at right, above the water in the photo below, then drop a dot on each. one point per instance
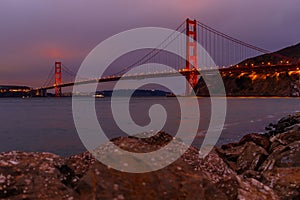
(248, 83)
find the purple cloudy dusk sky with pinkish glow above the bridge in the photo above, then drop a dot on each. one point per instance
(35, 33)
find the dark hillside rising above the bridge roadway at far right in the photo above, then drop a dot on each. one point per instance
(289, 54)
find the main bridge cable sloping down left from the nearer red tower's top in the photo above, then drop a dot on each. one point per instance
(154, 50)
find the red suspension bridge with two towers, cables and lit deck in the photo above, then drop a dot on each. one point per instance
(226, 52)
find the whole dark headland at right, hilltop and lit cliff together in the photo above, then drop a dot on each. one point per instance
(263, 81)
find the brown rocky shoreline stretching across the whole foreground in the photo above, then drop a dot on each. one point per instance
(257, 167)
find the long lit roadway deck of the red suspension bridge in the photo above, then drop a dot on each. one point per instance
(261, 69)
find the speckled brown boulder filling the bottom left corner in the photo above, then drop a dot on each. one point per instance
(33, 176)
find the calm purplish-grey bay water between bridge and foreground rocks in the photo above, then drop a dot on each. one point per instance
(46, 124)
